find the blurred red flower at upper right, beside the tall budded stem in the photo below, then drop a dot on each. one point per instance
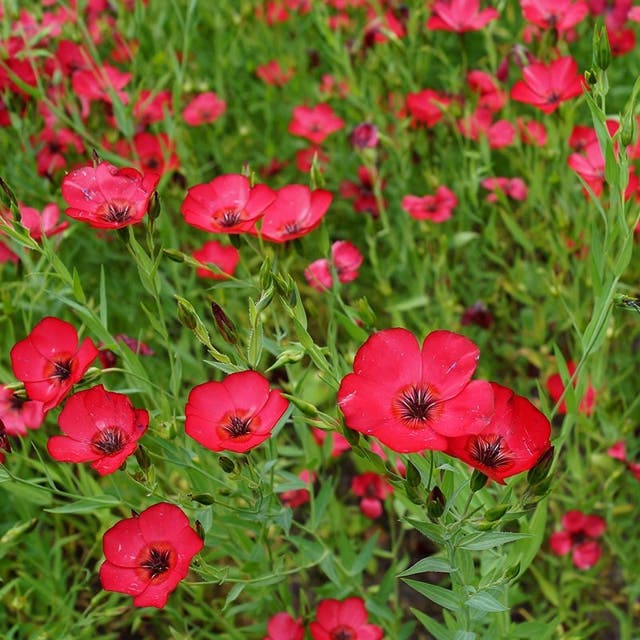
(546, 86)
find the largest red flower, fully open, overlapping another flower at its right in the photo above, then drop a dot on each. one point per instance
(413, 398)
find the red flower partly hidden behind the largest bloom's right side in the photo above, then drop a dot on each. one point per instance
(514, 440)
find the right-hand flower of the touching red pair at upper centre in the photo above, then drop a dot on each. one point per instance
(295, 212)
